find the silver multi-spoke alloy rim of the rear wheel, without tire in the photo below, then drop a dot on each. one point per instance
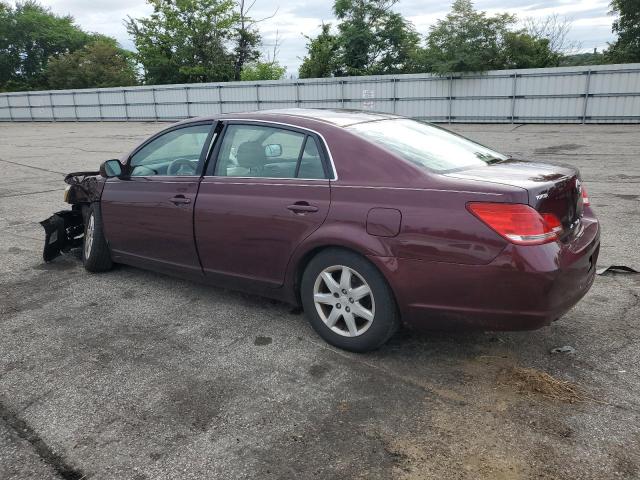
(344, 300)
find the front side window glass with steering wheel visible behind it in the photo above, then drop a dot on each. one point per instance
(174, 153)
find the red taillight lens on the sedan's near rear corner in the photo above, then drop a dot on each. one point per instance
(517, 222)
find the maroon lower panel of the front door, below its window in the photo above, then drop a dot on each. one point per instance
(151, 219)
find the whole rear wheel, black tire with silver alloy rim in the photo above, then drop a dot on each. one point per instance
(356, 321)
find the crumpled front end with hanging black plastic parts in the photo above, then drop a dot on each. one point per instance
(65, 229)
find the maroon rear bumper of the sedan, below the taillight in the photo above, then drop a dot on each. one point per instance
(523, 288)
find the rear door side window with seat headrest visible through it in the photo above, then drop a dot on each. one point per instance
(268, 152)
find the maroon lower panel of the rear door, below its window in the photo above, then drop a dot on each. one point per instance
(249, 228)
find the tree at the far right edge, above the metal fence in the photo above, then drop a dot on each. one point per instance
(626, 48)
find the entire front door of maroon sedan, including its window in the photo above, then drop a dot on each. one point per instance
(148, 213)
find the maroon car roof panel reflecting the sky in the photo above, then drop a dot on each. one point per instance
(336, 117)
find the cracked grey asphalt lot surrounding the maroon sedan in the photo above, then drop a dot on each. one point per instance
(135, 375)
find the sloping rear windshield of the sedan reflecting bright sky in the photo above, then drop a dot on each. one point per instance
(426, 145)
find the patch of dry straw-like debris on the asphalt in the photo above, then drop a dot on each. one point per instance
(530, 380)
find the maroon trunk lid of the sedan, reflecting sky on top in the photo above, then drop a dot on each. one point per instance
(551, 188)
